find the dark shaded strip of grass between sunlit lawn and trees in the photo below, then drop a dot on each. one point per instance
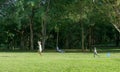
(100, 50)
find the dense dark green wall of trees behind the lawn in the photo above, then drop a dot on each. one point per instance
(69, 24)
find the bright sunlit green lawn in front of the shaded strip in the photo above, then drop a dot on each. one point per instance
(58, 62)
